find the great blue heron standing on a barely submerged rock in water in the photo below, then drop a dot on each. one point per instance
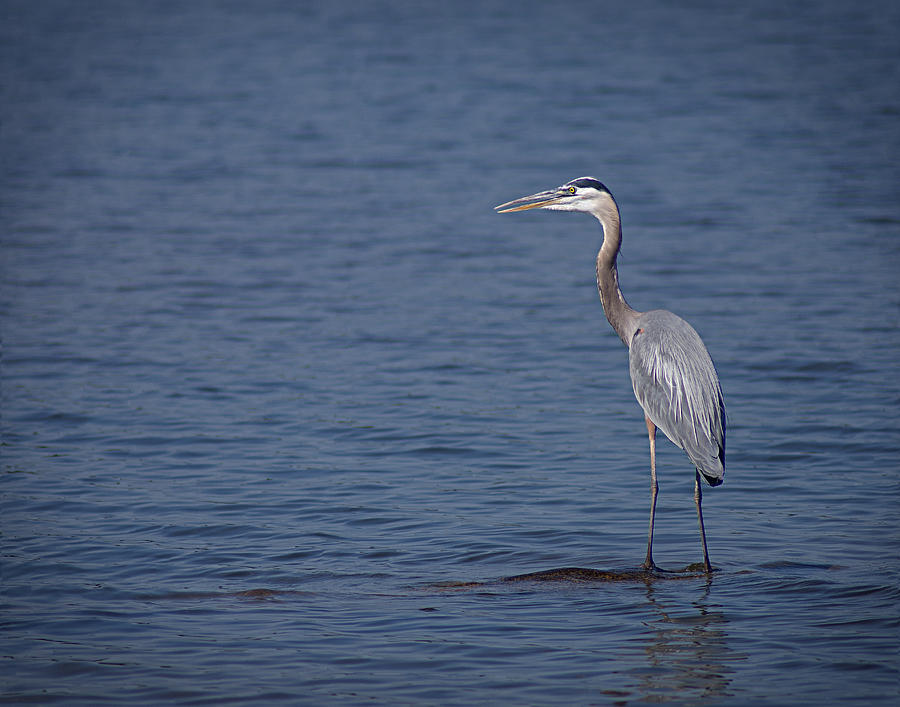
(672, 374)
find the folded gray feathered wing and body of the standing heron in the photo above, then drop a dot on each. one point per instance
(675, 382)
